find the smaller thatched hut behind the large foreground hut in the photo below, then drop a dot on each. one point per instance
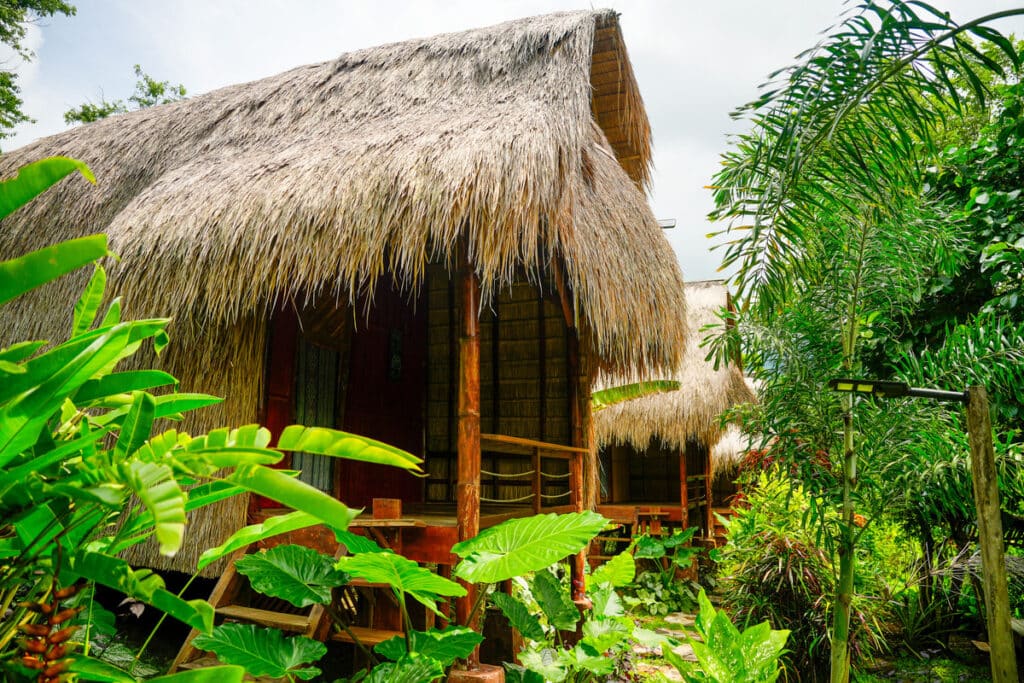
(661, 454)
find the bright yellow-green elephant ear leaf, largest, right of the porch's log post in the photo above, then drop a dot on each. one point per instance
(522, 546)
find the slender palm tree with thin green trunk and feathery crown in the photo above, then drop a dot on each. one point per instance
(832, 175)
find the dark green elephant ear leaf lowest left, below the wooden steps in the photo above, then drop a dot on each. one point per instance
(264, 652)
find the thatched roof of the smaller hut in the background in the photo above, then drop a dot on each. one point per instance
(691, 413)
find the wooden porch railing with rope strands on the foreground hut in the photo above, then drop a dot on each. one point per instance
(538, 452)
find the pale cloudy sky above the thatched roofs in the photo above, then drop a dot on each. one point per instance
(696, 62)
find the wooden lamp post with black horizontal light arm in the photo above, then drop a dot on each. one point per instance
(987, 499)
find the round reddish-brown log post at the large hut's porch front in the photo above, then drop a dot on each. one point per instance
(468, 489)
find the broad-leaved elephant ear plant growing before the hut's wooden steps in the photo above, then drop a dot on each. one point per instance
(305, 577)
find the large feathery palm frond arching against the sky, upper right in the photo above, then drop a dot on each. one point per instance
(847, 129)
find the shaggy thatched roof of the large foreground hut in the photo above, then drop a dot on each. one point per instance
(529, 140)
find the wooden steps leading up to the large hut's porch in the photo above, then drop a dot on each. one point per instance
(234, 602)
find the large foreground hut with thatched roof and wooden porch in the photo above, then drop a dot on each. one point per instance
(421, 243)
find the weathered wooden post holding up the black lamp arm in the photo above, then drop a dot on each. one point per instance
(994, 568)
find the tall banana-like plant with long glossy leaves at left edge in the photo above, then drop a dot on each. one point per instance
(82, 478)
